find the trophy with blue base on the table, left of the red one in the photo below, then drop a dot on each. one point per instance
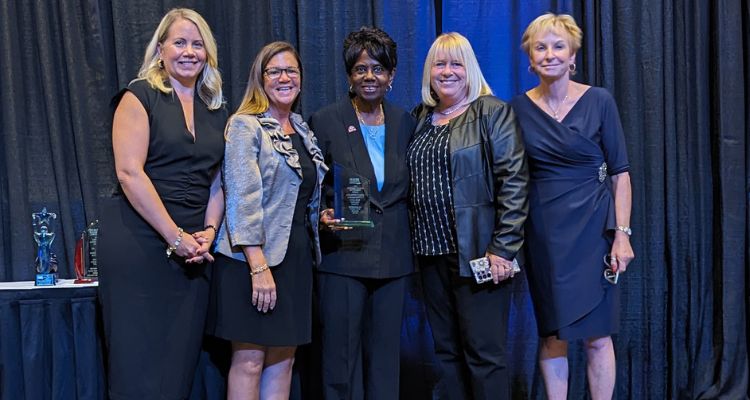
(46, 261)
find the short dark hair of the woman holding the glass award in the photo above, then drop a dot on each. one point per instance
(378, 45)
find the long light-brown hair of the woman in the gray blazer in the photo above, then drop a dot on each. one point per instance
(255, 100)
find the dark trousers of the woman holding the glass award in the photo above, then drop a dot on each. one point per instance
(360, 334)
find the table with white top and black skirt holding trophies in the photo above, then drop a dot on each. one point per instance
(50, 347)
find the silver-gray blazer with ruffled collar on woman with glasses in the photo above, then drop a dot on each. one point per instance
(261, 177)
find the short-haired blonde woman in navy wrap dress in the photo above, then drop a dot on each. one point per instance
(579, 207)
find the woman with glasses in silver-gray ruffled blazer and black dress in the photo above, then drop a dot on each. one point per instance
(268, 242)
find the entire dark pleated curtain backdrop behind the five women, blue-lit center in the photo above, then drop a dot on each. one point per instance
(677, 68)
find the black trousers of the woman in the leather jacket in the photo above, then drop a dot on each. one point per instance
(469, 326)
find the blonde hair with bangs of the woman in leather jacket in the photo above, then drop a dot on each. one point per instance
(456, 47)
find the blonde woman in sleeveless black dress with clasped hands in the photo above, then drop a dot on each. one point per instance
(155, 233)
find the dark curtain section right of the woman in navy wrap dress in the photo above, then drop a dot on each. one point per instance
(678, 70)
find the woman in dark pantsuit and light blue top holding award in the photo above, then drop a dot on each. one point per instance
(363, 276)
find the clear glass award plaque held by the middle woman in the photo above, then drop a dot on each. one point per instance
(351, 197)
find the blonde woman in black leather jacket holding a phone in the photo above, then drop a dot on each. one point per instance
(468, 200)
